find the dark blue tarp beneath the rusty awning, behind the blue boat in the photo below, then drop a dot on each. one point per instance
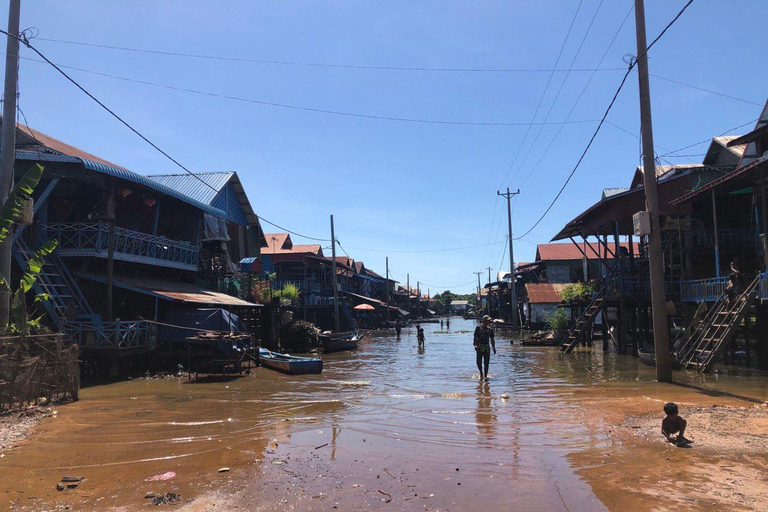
(186, 323)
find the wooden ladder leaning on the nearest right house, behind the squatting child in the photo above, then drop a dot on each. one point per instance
(713, 334)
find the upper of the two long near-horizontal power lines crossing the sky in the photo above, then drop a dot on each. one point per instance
(318, 64)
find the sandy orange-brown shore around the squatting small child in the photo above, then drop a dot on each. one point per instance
(725, 469)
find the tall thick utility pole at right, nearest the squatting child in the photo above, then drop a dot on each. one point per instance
(658, 298)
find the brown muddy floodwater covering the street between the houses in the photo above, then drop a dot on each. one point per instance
(388, 422)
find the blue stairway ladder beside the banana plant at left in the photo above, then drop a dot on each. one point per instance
(56, 282)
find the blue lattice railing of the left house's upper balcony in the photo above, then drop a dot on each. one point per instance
(92, 239)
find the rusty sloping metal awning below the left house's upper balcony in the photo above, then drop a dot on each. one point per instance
(172, 290)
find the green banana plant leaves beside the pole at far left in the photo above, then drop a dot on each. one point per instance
(9, 215)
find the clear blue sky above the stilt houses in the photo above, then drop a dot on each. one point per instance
(394, 186)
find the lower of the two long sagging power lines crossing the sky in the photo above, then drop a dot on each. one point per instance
(307, 109)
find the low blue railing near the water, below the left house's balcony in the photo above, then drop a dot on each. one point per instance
(119, 335)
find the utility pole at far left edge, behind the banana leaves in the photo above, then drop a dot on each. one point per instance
(8, 144)
